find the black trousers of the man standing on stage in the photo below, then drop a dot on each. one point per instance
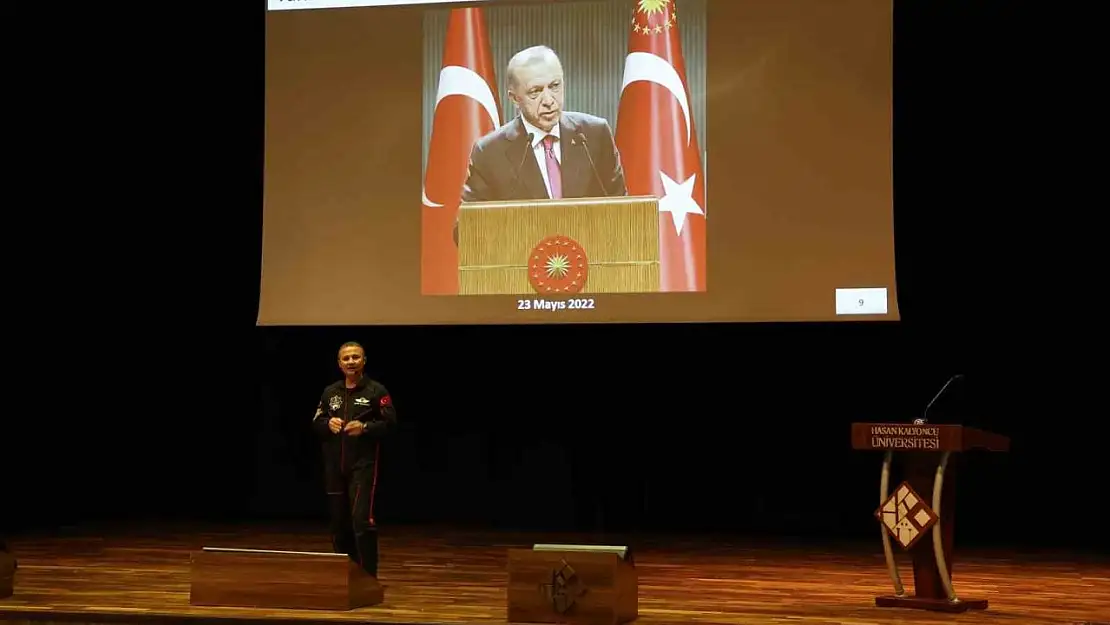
(351, 503)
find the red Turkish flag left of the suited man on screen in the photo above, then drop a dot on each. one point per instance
(467, 108)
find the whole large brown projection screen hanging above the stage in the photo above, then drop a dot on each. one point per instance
(741, 169)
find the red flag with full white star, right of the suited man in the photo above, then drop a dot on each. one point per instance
(659, 144)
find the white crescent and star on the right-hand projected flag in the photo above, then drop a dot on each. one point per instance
(678, 197)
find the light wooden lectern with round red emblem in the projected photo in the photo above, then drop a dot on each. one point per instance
(560, 247)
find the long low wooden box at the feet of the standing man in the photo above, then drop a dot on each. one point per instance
(280, 580)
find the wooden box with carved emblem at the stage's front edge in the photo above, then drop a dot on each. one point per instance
(572, 586)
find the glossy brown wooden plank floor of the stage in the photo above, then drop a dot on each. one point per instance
(449, 578)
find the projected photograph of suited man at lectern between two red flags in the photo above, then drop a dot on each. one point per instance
(563, 150)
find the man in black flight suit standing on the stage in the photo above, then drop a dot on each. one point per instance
(354, 417)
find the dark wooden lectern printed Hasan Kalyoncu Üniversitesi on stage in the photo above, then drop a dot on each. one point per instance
(921, 513)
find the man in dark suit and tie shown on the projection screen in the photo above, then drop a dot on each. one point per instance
(571, 155)
